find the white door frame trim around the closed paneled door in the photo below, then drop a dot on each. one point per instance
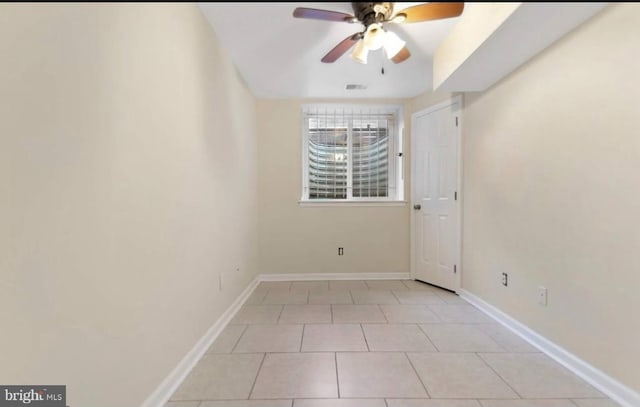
(458, 209)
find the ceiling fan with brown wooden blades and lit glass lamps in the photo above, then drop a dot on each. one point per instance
(373, 16)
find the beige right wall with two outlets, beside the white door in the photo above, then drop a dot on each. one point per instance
(551, 174)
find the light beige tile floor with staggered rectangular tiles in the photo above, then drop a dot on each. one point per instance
(395, 343)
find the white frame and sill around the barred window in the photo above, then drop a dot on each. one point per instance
(395, 151)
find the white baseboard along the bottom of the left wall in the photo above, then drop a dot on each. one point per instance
(166, 389)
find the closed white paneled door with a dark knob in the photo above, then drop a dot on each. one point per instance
(435, 196)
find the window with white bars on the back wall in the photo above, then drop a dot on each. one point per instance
(351, 153)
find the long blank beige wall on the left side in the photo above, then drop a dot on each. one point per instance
(127, 184)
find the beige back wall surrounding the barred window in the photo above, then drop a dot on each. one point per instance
(302, 239)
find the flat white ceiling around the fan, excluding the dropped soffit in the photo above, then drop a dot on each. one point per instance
(279, 55)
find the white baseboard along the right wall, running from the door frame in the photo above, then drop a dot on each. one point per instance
(615, 390)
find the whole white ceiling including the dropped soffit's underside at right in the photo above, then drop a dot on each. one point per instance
(279, 55)
